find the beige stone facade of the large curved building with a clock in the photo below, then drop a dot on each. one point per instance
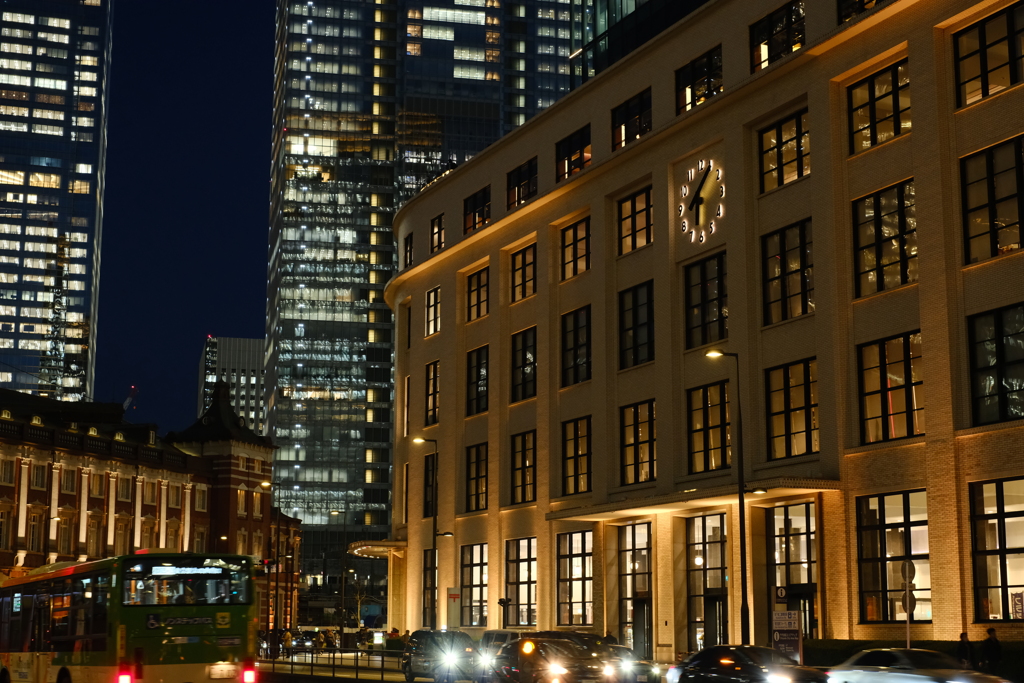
(849, 459)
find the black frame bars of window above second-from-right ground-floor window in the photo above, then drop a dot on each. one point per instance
(910, 389)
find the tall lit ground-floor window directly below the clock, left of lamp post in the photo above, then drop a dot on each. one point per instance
(707, 571)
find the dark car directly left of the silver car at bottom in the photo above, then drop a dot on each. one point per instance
(728, 664)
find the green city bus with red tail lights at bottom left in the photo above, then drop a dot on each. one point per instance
(149, 618)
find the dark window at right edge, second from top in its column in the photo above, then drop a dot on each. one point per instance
(993, 200)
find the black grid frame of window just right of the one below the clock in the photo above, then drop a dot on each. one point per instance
(804, 274)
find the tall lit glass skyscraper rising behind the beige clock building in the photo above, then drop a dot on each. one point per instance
(372, 102)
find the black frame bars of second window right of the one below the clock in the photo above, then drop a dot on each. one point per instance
(907, 223)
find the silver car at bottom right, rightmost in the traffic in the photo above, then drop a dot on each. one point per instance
(905, 666)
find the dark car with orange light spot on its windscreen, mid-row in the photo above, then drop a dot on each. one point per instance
(543, 660)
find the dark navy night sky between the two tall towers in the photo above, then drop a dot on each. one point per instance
(188, 194)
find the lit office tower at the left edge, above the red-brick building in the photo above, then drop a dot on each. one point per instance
(55, 61)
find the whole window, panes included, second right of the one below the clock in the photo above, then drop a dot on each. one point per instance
(886, 228)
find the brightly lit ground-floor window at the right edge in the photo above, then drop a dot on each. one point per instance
(998, 521)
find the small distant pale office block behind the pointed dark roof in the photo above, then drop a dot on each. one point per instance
(239, 363)
